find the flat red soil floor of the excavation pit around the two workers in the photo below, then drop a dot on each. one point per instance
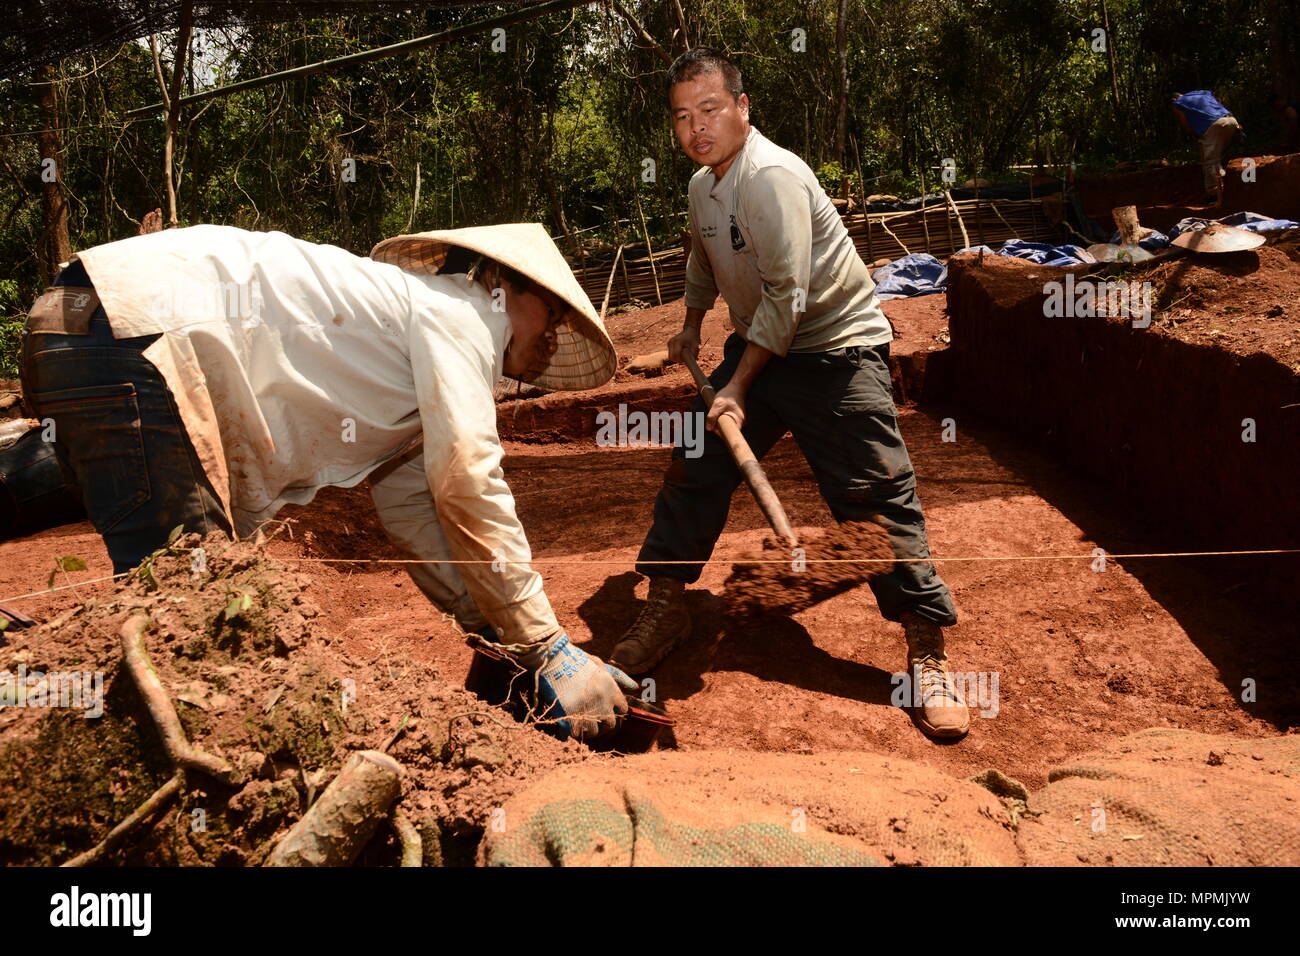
(1081, 656)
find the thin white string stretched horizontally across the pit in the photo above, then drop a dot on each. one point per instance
(720, 561)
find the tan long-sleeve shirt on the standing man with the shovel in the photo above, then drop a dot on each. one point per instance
(794, 252)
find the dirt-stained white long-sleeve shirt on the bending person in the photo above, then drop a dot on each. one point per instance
(297, 366)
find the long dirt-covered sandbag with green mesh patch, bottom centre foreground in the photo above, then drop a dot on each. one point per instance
(751, 810)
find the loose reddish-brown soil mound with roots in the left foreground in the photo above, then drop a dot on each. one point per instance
(258, 681)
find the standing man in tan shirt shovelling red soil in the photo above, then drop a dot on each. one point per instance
(811, 356)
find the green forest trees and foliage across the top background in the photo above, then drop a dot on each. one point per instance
(558, 128)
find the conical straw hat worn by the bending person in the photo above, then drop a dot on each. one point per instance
(584, 357)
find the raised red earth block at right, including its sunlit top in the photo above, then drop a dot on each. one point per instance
(1159, 416)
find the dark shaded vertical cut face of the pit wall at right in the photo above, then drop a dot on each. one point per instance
(1158, 421)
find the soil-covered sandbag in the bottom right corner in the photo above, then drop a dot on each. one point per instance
(1171, 798)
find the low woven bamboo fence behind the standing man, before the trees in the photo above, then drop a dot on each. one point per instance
(661, 276)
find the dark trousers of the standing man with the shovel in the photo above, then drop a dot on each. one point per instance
(839, 406)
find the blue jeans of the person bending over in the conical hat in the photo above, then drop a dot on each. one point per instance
(118, 432)
